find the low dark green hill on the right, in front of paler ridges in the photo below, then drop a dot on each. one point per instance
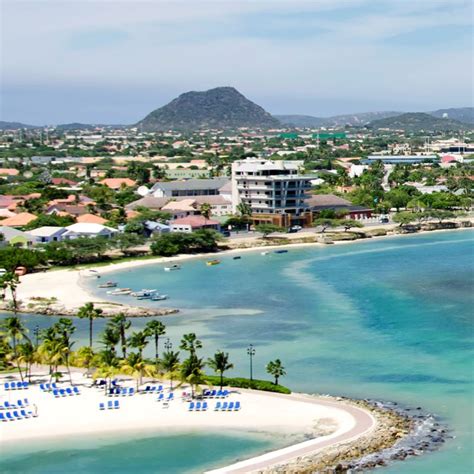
(416, 122)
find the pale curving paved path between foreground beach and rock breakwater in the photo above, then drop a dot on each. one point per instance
(364, 422)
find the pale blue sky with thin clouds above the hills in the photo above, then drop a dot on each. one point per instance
(108, 61)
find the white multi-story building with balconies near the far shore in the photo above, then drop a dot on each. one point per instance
(275, 190)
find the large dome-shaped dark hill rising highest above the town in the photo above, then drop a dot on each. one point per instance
(222, 107)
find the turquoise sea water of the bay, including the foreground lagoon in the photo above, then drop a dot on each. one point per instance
(390, 319)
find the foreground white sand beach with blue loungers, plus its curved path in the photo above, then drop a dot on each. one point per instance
(294, 415)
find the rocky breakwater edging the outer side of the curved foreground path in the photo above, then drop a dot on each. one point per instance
(400, 432)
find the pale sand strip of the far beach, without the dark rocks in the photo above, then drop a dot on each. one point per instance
(68, 286)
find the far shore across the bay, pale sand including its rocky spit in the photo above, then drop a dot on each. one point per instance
(62, 292)
